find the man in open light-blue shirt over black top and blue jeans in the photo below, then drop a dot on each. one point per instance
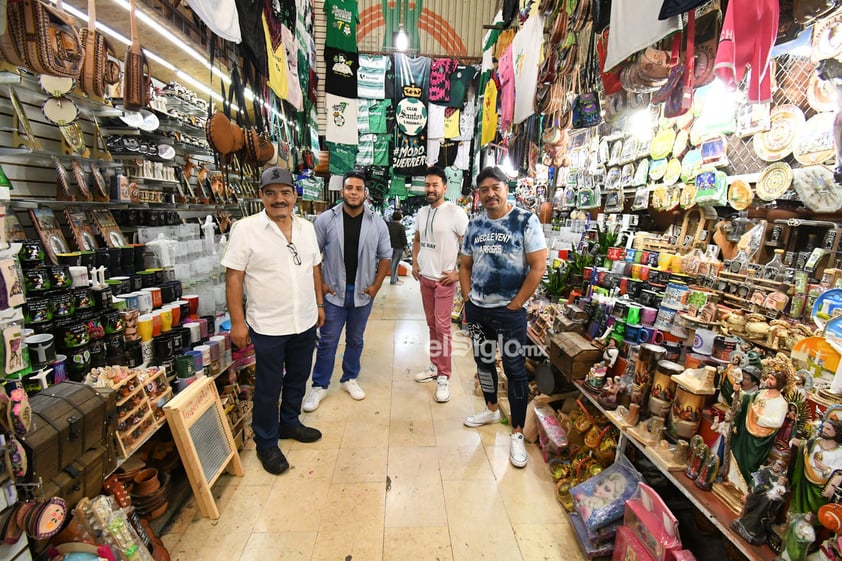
(357, 254)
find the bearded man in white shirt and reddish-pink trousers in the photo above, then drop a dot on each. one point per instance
(439, 228)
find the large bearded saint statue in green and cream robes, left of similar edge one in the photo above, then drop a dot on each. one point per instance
(759, 418)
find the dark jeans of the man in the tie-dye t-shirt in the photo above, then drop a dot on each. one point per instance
(494, 329)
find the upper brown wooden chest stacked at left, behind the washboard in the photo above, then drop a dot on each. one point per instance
(67, 420)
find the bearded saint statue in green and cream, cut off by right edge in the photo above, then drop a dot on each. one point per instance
(815, 461)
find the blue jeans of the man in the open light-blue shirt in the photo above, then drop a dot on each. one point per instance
(336, 317)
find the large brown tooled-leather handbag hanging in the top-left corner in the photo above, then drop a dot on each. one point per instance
(41, 38)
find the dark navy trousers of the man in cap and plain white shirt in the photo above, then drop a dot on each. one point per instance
(282, 366)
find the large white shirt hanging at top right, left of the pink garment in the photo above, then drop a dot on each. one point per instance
(635, 26)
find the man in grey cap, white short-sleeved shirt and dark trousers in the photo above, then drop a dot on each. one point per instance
(267, 251)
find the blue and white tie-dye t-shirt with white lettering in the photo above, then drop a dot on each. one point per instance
(499, 248)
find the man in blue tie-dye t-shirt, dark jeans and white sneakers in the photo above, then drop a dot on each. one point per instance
(504, 256)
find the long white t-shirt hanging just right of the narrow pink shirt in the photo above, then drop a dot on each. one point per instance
(526, 57)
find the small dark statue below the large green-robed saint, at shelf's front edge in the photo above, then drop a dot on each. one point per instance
(768, 489)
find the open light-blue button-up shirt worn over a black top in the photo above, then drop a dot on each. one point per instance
(374, 245)
